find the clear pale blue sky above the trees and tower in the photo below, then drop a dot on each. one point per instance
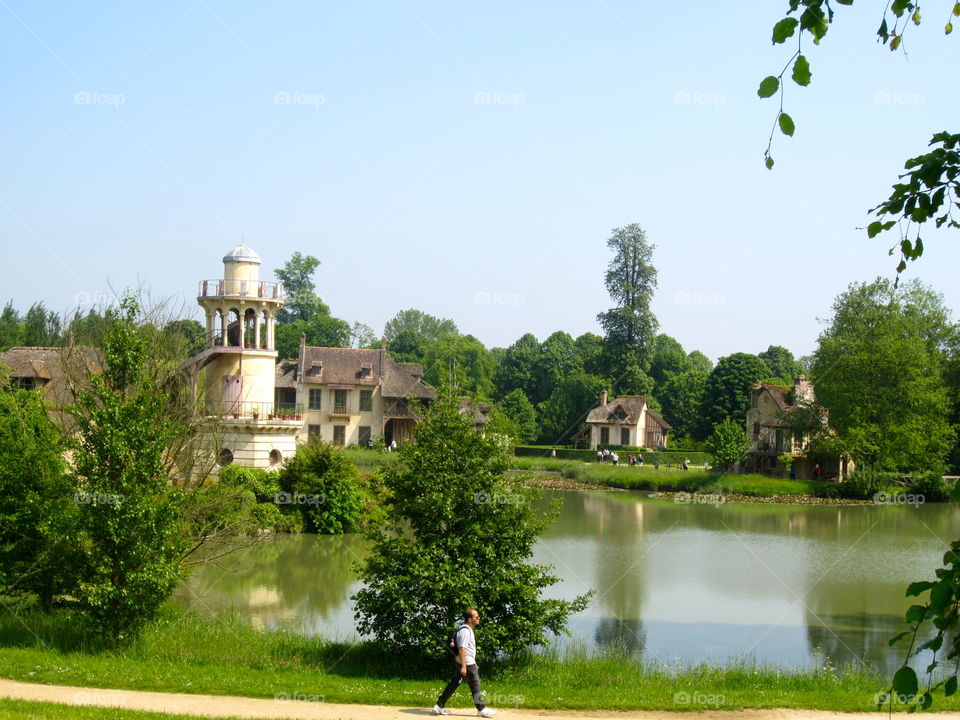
(469, 162)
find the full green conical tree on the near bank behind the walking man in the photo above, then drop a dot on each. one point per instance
(460, 535)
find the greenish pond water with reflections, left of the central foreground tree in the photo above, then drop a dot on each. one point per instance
(282, 581)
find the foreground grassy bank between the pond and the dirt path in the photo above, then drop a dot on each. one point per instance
(235, 659)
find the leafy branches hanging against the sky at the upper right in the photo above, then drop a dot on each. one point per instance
(930, 187)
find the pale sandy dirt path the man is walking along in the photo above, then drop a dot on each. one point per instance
(311, 708)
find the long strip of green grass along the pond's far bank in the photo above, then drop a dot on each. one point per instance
(668, 479)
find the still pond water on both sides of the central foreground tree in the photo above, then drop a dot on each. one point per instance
(785, 584)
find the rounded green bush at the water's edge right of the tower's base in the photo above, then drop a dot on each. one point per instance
(322, 485)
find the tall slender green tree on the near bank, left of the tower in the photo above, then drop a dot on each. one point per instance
(127, 541)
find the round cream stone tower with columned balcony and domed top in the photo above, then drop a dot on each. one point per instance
(240, 359)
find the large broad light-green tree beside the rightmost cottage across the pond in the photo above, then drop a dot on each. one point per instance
(879, 371)
